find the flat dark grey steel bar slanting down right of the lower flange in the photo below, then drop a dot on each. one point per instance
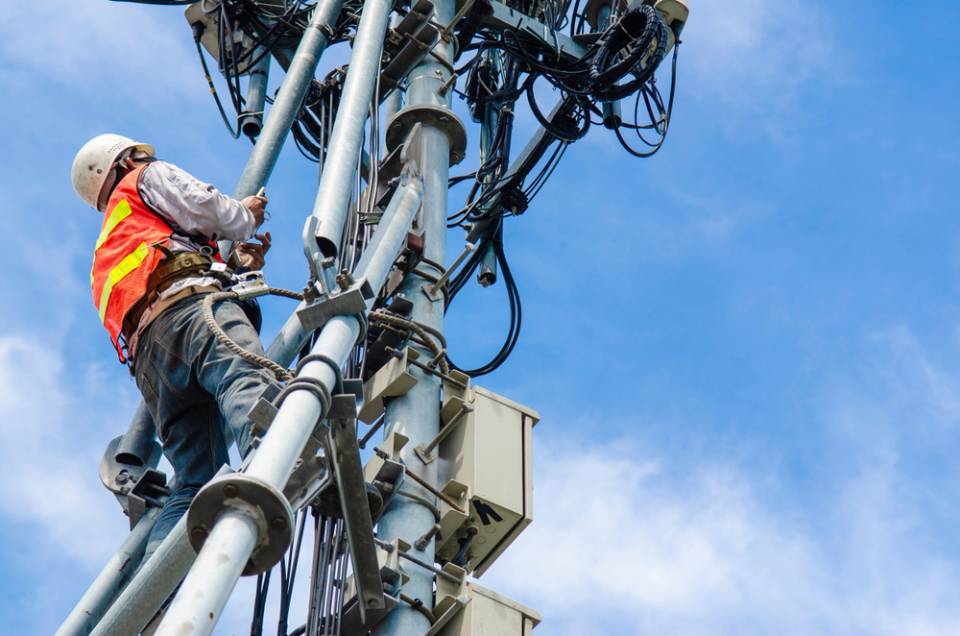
(345, 459)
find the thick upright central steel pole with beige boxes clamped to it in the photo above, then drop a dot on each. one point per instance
(417, 414)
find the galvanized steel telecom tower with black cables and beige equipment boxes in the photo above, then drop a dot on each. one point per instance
(396, 544)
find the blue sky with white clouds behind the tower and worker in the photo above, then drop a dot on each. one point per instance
(744, 350)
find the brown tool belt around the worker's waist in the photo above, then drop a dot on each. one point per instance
(173, 268)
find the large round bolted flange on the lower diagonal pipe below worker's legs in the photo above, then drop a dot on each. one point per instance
(264, 503)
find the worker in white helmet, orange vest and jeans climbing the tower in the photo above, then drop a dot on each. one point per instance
(155, 258)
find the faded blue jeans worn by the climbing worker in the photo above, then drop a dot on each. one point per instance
(199, 394)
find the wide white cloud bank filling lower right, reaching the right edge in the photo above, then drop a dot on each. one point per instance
(630, 539)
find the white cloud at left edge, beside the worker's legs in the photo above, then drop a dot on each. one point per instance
(49, 480)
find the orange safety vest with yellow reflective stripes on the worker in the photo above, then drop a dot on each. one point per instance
(123, 259)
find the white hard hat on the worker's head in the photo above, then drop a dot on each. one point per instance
(94, 165)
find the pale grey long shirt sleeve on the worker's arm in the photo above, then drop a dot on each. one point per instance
(194, 206)
